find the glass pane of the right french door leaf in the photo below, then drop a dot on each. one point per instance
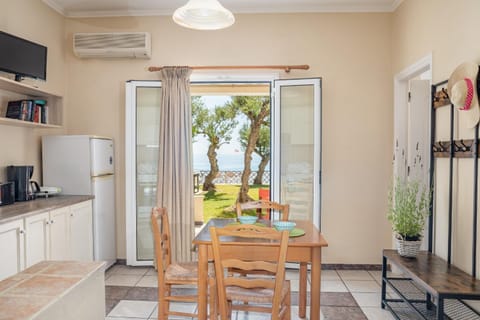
(297, 149)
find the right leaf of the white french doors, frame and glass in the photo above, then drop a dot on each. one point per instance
(296, 148)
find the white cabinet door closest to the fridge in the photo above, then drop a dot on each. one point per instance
(81, 232)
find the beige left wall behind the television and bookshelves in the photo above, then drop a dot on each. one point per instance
(32, 20)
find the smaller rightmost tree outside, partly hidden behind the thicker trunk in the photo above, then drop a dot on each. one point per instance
(262, 147)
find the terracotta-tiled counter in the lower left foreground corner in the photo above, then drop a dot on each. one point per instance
(55, 290)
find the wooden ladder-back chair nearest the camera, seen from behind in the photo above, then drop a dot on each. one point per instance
(270, 294)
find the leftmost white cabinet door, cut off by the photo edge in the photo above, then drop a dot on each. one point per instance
(12, 248)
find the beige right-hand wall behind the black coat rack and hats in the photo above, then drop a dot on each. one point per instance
(447, 29)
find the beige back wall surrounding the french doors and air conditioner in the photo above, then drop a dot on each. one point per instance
(352, 52)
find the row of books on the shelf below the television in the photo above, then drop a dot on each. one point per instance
(28, 110)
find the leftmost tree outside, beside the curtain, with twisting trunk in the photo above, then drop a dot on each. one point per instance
(216, 125)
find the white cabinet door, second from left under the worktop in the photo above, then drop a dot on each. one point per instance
(37, 238)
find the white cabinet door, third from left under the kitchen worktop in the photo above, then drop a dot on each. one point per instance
(59, 234)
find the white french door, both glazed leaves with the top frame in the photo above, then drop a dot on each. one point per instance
(295, 156)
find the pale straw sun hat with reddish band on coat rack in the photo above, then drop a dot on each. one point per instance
(462, 89)
